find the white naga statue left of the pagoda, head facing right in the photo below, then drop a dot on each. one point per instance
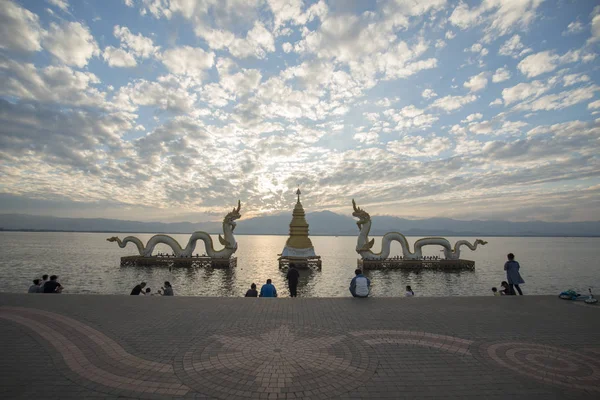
(228, 241)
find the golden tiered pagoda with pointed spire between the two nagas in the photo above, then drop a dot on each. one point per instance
(298, 249)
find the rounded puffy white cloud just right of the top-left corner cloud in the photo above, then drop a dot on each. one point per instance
(72, 43)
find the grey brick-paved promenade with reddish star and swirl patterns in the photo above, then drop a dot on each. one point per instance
(109, 347)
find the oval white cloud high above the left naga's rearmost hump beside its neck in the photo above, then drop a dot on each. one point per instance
(186, 60)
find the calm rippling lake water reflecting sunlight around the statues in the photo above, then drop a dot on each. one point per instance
(87, 263)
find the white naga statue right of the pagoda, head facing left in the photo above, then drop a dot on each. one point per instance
(363, 245)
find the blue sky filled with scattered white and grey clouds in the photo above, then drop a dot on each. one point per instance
(172, 110)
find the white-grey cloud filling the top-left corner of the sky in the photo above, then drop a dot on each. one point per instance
(19, 28)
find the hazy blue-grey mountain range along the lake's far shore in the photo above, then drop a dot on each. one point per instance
(321, 223)
